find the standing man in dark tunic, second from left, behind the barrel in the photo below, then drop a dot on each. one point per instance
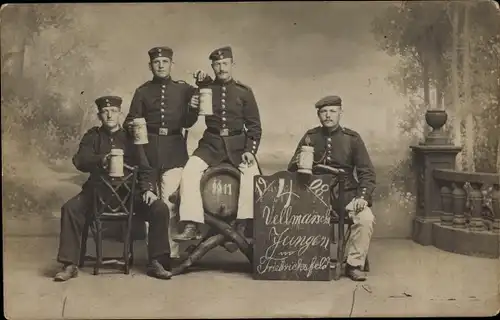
(166, 105)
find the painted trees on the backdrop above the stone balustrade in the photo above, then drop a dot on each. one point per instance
(446, 48)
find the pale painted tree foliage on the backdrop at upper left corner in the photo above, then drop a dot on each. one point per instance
(49, 76)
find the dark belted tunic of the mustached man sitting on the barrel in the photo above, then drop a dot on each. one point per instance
(234, 128)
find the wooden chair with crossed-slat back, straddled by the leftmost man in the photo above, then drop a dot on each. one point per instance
(113, 201)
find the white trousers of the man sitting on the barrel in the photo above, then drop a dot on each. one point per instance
(191, 206)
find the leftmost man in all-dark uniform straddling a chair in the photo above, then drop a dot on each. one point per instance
(92, 157)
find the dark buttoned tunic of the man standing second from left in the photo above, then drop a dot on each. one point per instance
(164, 103)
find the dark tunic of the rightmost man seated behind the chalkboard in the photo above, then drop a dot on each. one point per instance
(343, 148)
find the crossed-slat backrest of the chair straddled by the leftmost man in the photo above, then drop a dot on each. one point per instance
(114, 196)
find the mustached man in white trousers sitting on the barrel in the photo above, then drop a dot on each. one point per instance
(225, 139)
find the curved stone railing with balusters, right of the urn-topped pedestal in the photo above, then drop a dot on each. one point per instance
(469, 213)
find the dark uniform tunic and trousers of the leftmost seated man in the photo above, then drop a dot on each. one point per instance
(95, 144)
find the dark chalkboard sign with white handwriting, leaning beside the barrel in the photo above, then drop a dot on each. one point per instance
(292, 229)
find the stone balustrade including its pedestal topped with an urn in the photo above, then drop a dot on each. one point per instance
(455, 211)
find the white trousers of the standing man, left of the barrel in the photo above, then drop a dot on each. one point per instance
(168, 184)
